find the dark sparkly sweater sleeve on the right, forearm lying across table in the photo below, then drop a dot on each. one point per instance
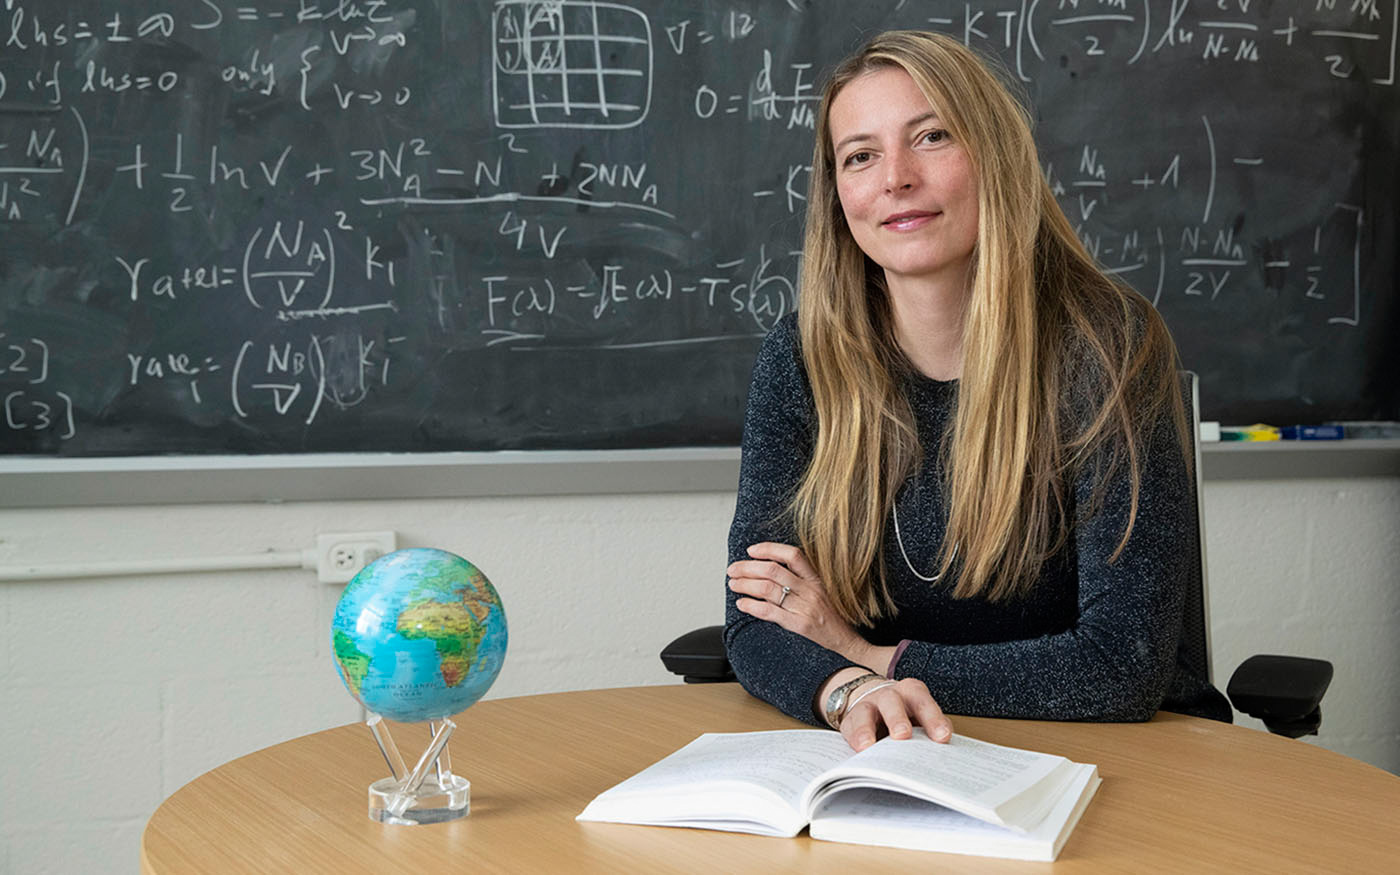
(1118, 660)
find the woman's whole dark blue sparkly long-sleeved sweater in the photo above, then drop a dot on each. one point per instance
(1091, 642)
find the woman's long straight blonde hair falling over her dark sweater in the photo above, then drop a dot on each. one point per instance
(1062, 365)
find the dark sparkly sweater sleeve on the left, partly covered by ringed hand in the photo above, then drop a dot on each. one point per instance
(773, 664)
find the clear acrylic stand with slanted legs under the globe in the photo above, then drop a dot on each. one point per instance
(430, 793)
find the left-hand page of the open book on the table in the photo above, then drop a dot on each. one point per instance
(736, 780)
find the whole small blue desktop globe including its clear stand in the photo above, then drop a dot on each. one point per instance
(419, 636)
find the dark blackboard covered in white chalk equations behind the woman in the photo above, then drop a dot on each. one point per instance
(321, 226)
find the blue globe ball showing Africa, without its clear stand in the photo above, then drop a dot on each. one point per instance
(419, 635)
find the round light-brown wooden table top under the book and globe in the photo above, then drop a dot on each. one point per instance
(1179, 794)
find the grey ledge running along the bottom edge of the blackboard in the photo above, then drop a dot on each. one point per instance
(93, 482)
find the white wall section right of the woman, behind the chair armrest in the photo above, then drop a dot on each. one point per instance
(1312, 568)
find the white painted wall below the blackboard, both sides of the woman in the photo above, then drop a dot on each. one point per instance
(117, 692)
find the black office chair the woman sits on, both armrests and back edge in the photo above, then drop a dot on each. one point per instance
(1283, 692)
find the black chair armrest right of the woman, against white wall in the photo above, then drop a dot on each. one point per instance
(1284, 692)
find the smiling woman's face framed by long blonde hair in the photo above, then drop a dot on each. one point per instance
(908, 190)
